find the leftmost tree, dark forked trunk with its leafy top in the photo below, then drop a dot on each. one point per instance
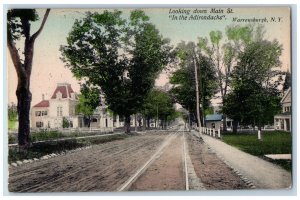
(18, 26)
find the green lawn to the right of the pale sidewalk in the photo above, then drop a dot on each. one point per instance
(273, 142)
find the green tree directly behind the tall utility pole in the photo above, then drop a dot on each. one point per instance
(184, 79)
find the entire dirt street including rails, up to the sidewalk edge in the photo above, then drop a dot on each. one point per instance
(173, 160)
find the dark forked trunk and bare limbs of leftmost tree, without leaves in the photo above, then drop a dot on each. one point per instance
(23, 69)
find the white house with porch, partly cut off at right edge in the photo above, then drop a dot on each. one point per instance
(283, 121)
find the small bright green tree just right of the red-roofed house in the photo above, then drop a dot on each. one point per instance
(89, 100)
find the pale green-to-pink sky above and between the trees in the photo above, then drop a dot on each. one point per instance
(48, 69)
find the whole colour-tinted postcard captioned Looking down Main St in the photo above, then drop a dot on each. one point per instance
(149, 99)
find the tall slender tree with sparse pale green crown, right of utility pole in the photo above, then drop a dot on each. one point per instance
(224, 57)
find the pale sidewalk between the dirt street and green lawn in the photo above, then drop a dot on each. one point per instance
(263, 174)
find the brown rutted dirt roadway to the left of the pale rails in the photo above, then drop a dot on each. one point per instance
(101, 168)
